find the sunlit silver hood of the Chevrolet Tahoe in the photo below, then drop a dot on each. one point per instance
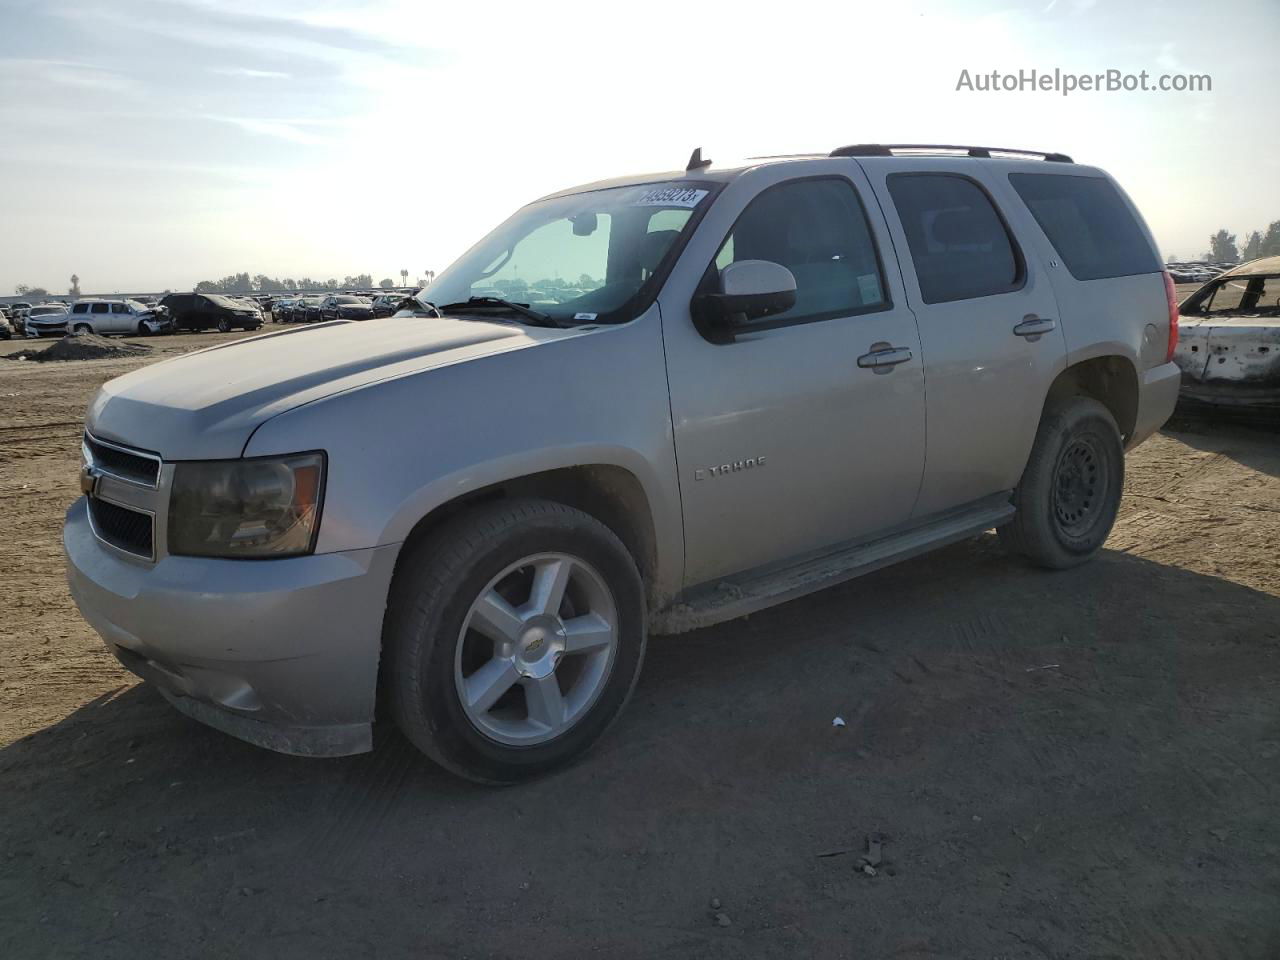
(207, 405)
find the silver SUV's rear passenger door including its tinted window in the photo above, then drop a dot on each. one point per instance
(988, 318)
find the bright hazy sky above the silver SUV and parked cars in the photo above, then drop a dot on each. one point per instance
(152, 144)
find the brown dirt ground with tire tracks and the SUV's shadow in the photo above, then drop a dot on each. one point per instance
(1078, 765)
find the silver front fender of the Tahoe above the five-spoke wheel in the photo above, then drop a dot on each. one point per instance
(399, 450)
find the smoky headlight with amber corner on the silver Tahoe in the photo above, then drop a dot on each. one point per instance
(268, 508)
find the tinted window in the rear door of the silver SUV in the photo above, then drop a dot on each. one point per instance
(959, 243)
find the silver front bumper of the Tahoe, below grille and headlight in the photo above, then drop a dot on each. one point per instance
(282, 653)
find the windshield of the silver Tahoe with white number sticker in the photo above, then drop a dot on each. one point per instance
(593, 257)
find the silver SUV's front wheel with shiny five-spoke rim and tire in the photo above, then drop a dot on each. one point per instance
(514, 638)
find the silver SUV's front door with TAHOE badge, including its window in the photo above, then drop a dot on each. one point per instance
(787, 440)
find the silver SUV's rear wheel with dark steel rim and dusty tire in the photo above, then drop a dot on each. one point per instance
(1071, 490)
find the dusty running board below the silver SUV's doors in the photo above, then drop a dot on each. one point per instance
(755, 591)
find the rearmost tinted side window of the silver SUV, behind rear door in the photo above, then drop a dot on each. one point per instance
(1089, 223)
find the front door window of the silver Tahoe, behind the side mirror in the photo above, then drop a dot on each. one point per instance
(820, 232)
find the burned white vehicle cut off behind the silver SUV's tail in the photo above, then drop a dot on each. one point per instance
(1229, 339)
